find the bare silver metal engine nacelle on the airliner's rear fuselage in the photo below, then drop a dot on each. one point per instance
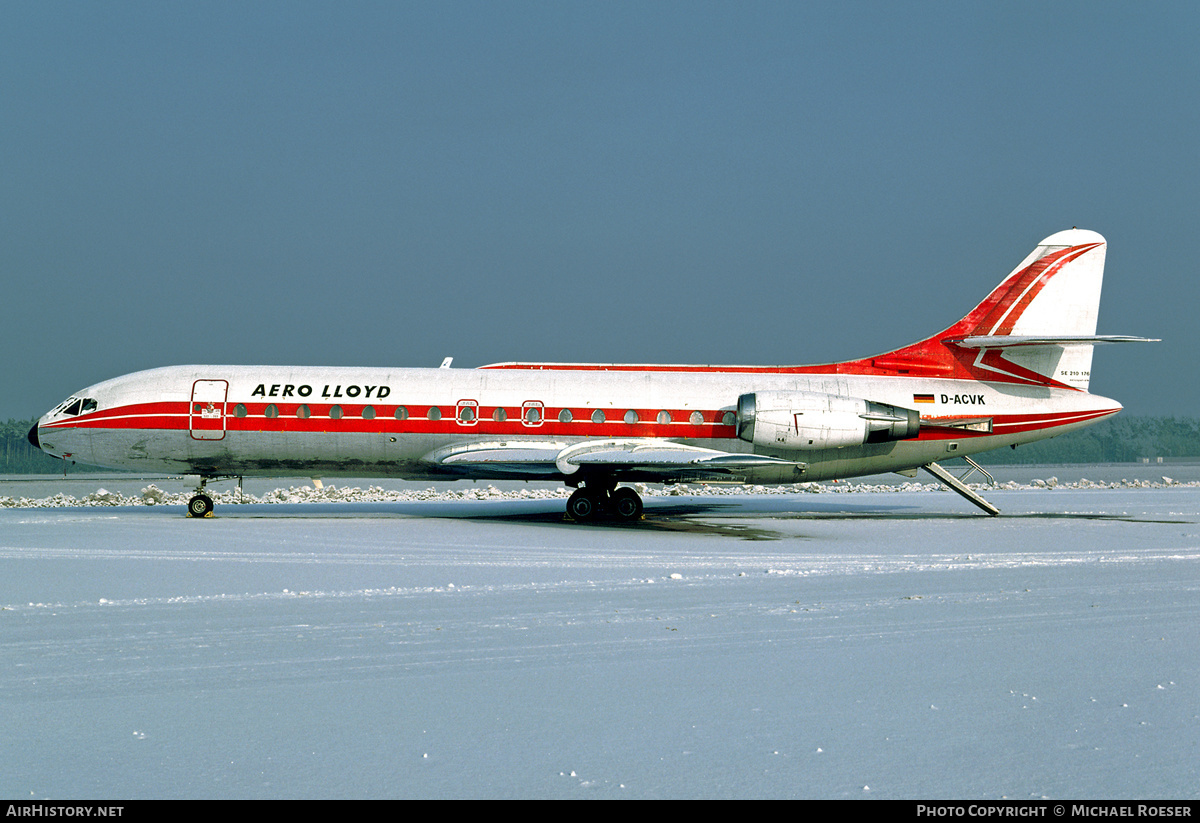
(812, 420)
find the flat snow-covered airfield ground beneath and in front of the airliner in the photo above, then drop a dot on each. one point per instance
(880, 644)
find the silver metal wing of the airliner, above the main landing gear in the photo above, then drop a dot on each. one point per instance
(640, 458)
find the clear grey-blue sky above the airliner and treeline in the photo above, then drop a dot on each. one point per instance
(389, 184)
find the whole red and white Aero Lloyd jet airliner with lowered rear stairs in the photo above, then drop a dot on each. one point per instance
(1015, 370)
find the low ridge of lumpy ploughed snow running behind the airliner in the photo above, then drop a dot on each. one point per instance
(153, 496)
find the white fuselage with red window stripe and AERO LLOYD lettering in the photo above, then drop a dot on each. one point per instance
(281, 420)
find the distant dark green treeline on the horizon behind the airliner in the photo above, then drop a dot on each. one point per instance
(1121, 440)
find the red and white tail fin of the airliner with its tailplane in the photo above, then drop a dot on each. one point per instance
(1039, 327)
